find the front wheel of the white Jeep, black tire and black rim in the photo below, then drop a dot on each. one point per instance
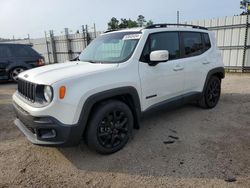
(110, 127)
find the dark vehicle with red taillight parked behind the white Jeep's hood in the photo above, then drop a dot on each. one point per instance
(16, 58)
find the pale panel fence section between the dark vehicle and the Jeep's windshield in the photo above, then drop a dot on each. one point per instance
(58, 49)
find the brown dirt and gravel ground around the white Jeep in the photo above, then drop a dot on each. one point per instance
(213, 145)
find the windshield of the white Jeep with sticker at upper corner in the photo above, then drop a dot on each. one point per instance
(111, 48)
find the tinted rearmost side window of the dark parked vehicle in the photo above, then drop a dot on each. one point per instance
(23, 51)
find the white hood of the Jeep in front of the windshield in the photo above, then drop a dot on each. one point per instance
(50, 74)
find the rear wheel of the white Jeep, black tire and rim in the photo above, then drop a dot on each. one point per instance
(211, 94)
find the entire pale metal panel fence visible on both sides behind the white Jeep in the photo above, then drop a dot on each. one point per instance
(232, 33)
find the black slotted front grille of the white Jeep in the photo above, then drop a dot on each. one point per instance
(27, 90)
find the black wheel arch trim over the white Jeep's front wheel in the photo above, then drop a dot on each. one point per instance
(111, 94)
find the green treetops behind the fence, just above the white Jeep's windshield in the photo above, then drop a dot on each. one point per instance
(115, 24)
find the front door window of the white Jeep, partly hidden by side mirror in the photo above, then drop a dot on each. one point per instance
(162, 41)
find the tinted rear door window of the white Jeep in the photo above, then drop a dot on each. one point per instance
(192, 44)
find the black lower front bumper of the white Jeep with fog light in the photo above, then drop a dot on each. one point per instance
(46, 130)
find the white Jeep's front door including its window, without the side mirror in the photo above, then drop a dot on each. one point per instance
(165, 80)
